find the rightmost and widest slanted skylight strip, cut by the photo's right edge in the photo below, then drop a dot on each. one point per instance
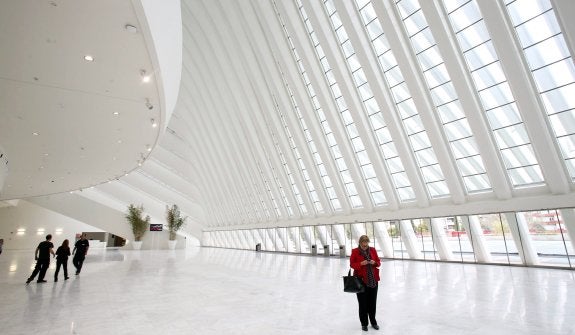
(551, 67)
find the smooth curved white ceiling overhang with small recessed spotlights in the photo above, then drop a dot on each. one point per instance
(68, 123)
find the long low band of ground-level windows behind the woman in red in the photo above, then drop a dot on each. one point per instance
(531, 238)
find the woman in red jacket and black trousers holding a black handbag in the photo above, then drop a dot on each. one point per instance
(365, 264)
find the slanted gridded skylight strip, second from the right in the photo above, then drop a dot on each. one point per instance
(494, 92)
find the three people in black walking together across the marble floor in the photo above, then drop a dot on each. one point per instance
(46, 248)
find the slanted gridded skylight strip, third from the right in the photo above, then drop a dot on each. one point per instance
(448, 107)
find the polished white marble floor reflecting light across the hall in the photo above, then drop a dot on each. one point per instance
(220, 291)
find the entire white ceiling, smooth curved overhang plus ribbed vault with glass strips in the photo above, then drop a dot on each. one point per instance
(291, 112)
